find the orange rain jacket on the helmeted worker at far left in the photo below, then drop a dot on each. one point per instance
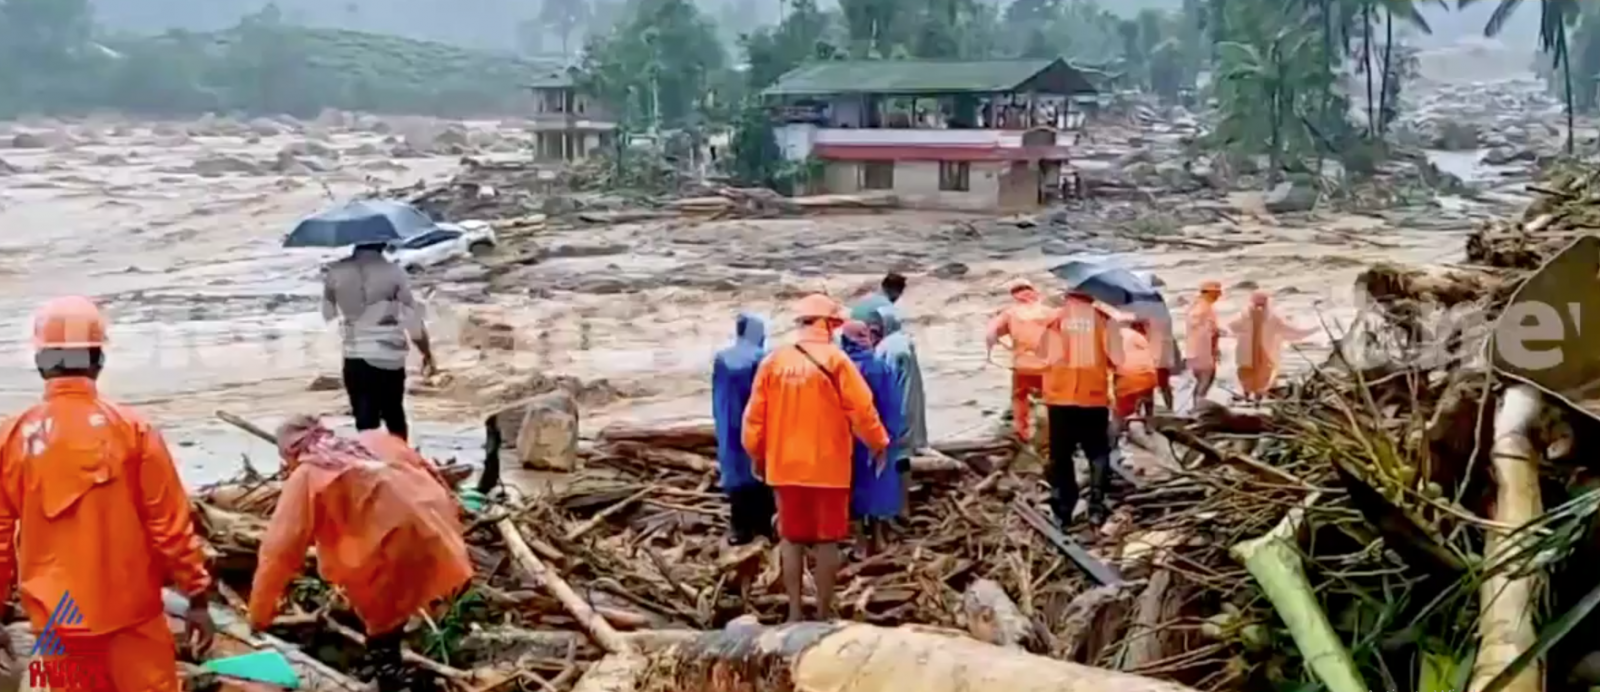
(94, 497)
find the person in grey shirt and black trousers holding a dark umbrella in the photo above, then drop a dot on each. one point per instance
(378, 323)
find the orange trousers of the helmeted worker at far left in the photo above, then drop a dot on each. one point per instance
(140, 658)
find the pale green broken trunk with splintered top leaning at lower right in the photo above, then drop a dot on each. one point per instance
(1276, 565)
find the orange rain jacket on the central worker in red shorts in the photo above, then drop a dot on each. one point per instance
(799, 422)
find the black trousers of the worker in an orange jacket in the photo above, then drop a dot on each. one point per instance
(1073, 428)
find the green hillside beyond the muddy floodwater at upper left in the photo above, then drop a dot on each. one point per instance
(54, 63)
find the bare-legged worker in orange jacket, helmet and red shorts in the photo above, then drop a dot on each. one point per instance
(807, 406)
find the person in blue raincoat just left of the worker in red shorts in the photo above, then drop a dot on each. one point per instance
(751, 502)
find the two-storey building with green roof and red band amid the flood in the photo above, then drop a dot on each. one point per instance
(975, 135)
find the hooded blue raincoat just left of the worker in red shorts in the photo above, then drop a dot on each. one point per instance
(732, 379)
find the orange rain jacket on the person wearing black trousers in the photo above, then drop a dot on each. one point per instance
(1079, 356)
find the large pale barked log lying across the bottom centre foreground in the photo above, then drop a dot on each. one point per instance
(852, 658)
